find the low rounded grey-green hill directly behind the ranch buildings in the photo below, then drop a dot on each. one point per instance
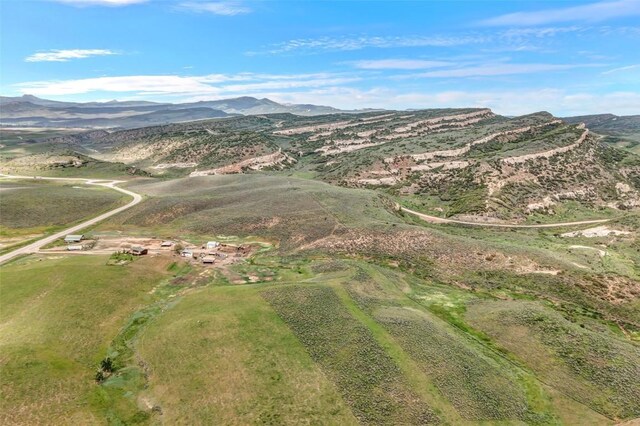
(289, 210)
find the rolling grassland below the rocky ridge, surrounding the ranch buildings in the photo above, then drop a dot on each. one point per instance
(346, 311)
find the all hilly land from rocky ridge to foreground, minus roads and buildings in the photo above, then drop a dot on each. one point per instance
(334, 304)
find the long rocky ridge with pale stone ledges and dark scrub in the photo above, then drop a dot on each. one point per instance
(447, 162)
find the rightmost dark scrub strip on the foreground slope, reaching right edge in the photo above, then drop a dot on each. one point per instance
(594, 368)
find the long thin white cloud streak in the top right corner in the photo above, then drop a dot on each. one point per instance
(594, 12)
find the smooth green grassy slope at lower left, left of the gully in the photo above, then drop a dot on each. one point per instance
(57, 319)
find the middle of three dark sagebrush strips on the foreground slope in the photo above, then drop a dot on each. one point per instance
(477, 386)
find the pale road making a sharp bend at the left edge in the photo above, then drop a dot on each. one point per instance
(34, 247)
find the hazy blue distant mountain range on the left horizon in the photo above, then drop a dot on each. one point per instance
(31, 111)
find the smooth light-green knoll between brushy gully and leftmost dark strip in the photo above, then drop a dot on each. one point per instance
(222, 356)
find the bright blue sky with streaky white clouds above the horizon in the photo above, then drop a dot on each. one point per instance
(516, 57)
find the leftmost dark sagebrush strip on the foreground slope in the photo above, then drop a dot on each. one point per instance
(365, 374)
